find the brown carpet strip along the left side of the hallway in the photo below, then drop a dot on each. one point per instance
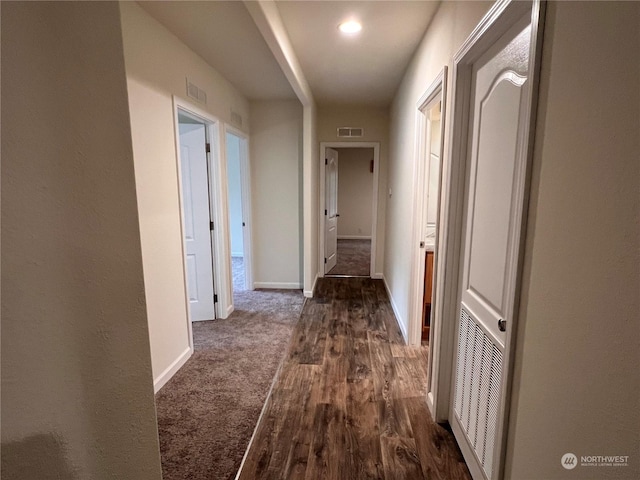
(207, 412)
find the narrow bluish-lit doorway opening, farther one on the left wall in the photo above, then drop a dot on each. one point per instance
(239, 191)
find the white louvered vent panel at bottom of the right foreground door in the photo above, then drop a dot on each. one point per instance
(477, 396)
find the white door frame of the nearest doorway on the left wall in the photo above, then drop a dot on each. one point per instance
(218, 208)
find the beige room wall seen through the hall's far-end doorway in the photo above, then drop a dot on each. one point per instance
(355, 192)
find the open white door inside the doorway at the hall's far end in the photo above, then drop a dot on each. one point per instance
(331, 209)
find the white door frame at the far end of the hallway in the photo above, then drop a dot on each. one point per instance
(374, 201)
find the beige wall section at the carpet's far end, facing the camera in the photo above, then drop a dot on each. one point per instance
(276, 176)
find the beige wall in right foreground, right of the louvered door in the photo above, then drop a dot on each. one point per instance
(577, 383)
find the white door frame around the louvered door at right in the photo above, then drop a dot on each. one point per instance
(495, 23)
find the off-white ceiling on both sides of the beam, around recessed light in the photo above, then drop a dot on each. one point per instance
(364, 69)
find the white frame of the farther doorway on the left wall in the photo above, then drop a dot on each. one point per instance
(245, 187)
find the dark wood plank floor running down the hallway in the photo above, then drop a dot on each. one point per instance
(349, 401)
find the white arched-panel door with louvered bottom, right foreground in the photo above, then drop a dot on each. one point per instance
(496, 172)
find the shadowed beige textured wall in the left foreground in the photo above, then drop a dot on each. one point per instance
(77, 392)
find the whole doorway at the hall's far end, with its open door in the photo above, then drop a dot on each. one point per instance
(349, 199)
